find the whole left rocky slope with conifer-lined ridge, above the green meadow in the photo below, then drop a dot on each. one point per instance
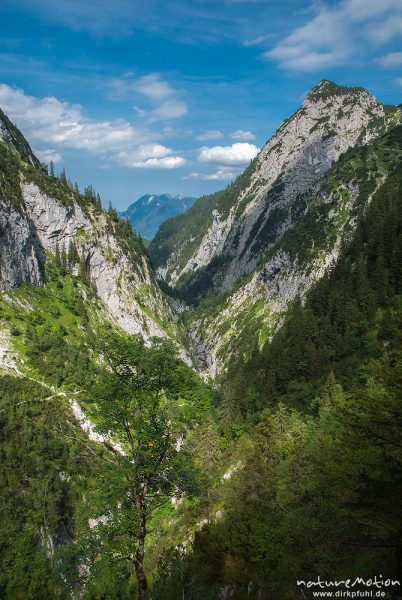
(40, 214)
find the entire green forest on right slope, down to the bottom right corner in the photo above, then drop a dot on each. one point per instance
(319, 488)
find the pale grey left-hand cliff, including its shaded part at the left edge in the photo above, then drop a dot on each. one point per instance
(127, 288)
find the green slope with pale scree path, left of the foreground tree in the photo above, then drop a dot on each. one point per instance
(53, 460)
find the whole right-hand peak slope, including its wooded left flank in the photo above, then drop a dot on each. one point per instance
(222, 237)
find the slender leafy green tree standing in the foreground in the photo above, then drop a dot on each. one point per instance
(141, 400)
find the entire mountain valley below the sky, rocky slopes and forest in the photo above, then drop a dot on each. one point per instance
(276, 306)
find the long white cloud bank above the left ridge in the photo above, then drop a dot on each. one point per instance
(51, 121)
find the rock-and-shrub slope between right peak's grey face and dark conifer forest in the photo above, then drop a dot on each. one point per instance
(249, 316)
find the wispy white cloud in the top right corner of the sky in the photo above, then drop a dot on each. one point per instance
(337, 33)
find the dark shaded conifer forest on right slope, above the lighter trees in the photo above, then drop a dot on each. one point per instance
(351, 313)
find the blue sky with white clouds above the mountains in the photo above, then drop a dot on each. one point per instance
(138, 97)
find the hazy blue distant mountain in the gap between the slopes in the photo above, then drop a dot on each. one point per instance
(151, 210)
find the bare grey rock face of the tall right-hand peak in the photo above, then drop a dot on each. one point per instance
(330, 121)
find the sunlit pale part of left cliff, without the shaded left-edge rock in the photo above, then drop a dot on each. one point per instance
(125, 288)
